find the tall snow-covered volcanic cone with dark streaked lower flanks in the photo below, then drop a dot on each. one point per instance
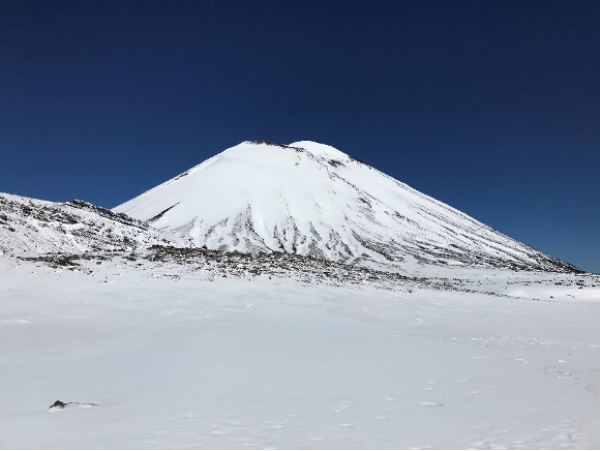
(312, 199)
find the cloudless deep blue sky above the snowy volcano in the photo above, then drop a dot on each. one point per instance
(492, 107)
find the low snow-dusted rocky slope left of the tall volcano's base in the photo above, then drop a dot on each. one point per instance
(30, 226)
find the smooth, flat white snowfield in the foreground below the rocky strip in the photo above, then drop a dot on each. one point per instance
(166, 356)
